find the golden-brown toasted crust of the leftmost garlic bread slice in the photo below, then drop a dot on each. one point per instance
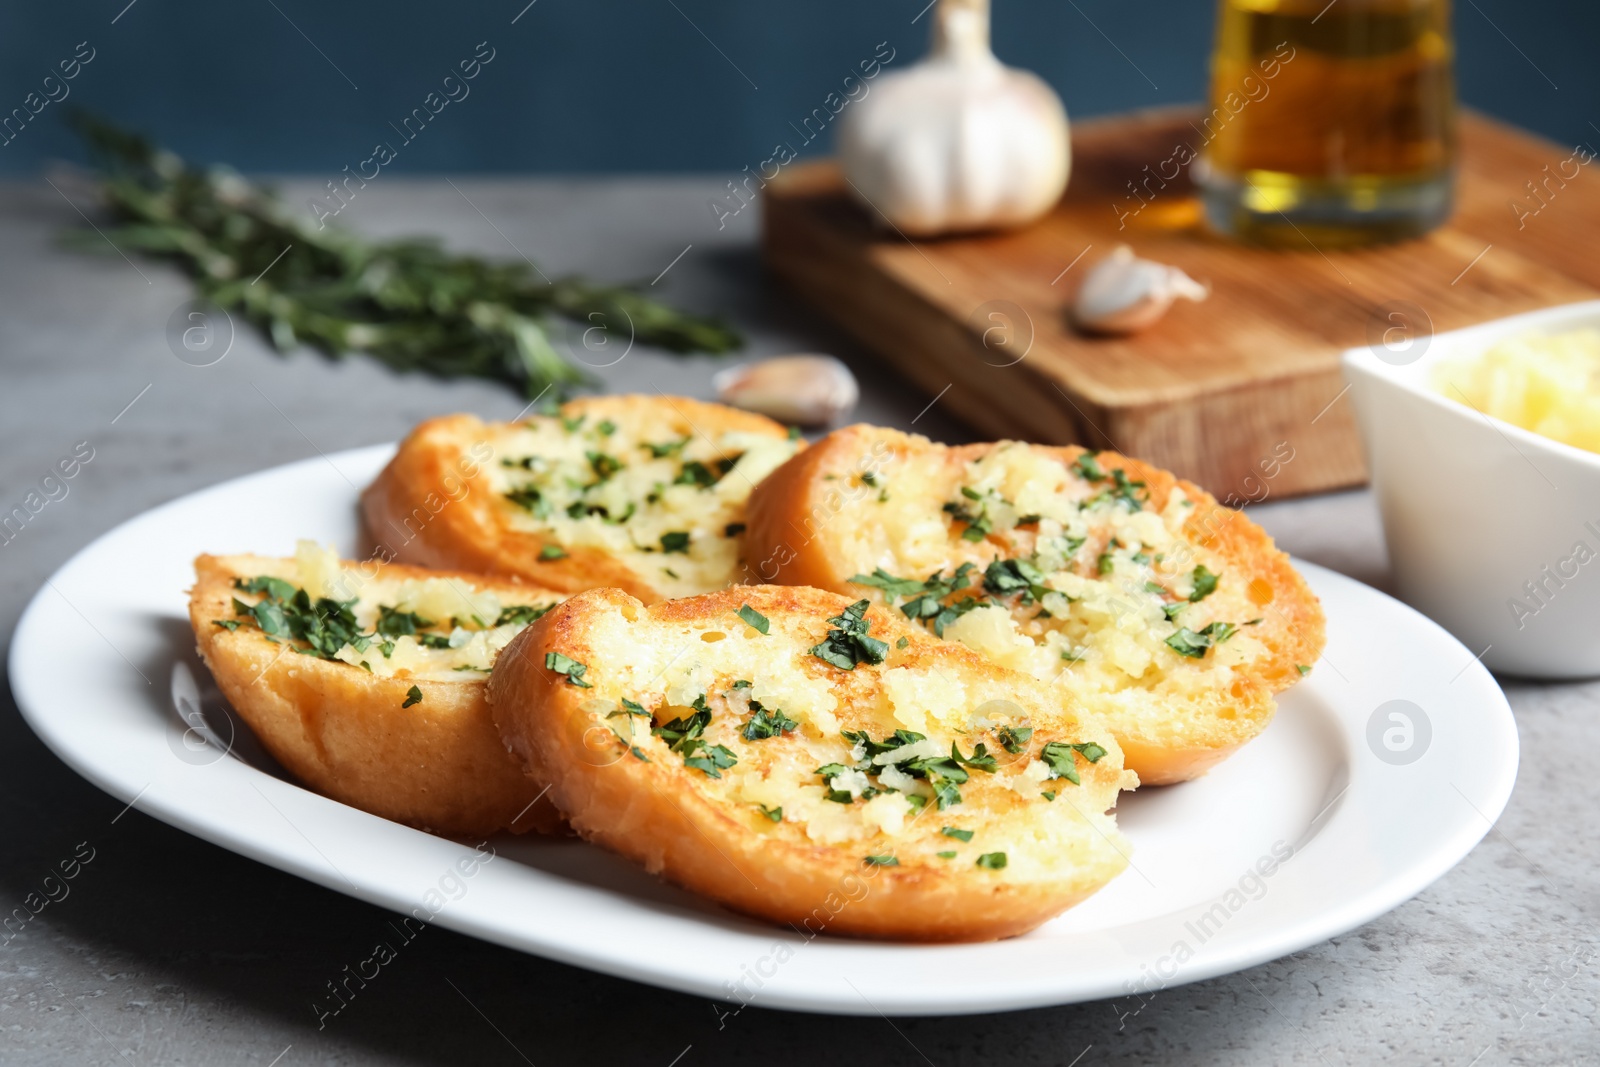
(438, 765)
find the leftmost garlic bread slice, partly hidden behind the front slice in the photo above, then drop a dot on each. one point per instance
(366, 681)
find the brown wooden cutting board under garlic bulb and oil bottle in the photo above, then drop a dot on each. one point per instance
(1218, 393)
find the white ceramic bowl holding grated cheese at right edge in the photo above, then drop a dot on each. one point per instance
(1494, 532)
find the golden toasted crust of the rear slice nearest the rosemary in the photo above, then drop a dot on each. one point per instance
(433, 505)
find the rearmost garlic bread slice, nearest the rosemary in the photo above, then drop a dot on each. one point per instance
(642, 494)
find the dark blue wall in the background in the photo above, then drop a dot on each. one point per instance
(641, 86)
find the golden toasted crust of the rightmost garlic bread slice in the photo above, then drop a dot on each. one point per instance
(799, 514)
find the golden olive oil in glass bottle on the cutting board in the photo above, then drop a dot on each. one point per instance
(1330, 124)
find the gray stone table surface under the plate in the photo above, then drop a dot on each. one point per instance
(170, 951)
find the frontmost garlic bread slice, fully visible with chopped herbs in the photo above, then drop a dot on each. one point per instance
(785, 749)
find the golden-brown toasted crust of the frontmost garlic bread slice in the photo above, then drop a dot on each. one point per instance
(670, 818)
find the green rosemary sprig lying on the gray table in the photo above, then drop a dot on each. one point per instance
(407, 303)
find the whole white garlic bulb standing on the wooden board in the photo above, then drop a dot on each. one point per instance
(959, 142)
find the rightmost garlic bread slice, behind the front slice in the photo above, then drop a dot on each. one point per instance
(1124, 589)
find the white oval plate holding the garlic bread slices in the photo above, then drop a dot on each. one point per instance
(105, 647)
